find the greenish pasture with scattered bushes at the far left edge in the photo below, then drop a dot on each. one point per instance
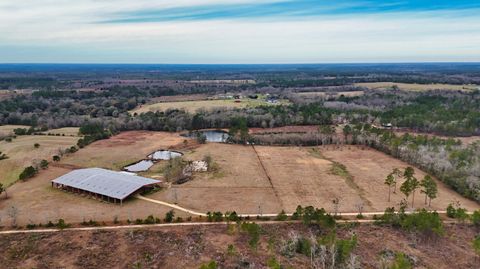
(21, 153)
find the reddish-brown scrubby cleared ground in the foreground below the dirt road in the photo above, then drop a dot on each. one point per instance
(189, 247)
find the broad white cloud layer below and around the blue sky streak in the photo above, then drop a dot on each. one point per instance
(37, 29)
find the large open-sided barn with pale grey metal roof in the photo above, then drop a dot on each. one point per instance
(103, 184)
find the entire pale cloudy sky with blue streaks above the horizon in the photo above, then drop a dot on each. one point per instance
(239, 31)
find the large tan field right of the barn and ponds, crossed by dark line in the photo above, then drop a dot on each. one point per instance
(289, 176)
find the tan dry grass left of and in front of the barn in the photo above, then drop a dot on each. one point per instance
(37, 202)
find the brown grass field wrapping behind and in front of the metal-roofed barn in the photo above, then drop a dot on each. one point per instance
(38, 202)
